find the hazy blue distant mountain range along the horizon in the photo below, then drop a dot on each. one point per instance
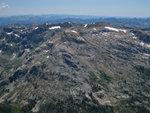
(41, 19)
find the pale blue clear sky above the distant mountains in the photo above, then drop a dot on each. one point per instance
(119, 8)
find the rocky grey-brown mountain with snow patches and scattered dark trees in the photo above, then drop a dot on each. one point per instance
(74, 68)
